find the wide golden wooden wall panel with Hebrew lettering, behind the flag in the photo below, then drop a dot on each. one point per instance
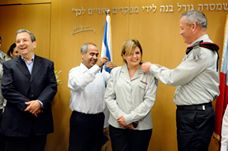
(159, 35)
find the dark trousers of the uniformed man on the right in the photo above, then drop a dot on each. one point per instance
(195, 126)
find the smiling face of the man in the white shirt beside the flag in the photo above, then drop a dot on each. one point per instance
(89, 58)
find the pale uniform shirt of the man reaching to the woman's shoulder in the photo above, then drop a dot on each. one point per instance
(196, 77)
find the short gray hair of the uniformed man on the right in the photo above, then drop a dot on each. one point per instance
(194, 16)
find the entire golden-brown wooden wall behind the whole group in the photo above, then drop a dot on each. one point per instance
(158, 33)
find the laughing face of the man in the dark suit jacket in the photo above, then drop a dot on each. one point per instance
(25, 45)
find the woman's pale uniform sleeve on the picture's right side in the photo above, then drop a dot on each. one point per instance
(145, 106)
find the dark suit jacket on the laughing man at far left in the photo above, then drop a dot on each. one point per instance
(18, 87)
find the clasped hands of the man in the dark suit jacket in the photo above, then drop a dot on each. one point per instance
(33, 107)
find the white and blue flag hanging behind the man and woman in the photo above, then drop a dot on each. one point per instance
(106, 49)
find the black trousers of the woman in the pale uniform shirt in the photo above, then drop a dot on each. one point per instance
(129, 140)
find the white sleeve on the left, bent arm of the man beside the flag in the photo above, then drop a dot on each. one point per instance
(78, 80)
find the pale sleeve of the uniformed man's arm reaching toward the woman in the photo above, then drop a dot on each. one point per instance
(183, 73)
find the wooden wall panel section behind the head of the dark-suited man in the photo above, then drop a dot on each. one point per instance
(32, 17)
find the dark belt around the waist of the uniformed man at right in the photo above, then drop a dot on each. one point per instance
(201, 107)
